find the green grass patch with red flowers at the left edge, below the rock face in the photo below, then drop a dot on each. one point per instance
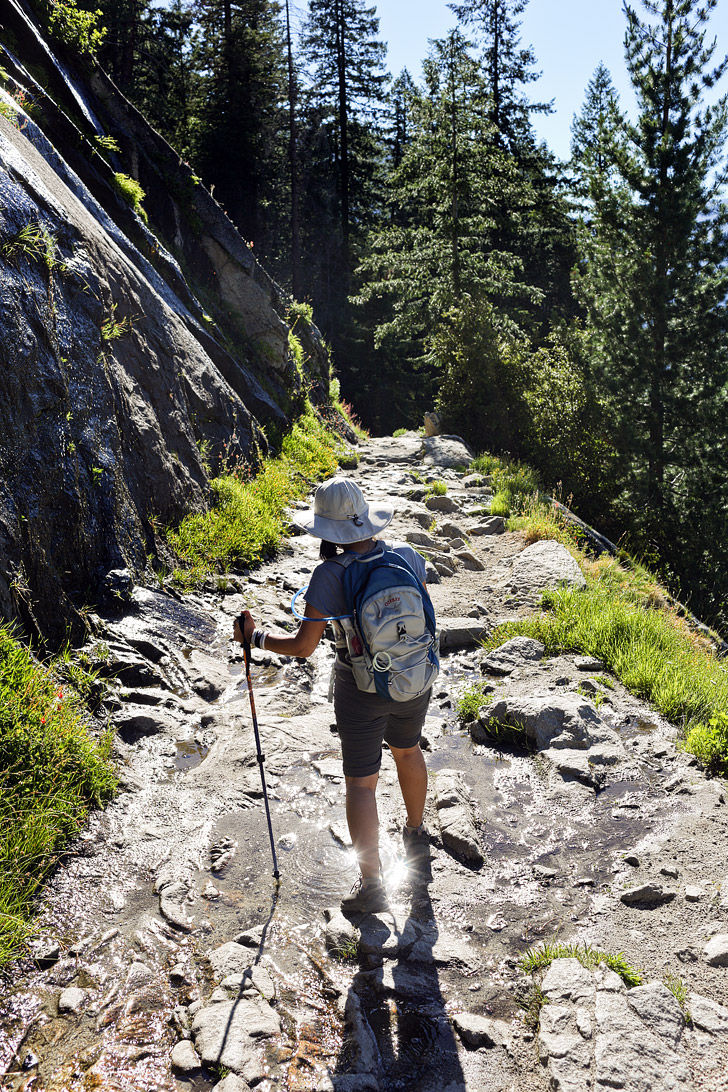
(52, 773)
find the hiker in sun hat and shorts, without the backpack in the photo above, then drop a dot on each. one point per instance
(341, 518)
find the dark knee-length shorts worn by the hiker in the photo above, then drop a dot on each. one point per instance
(366, 720)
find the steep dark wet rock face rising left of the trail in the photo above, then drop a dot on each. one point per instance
(136, 355)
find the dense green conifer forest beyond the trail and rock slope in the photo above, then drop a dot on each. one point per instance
(570, 314)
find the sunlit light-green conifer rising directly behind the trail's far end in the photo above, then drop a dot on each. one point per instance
(436, 270)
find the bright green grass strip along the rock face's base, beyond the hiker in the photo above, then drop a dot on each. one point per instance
(247, 521)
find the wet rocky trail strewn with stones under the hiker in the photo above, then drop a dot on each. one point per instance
(169, 960)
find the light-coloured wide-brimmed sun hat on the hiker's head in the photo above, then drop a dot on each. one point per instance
(341, 515)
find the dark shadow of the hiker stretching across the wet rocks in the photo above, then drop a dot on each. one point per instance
(398, 1031)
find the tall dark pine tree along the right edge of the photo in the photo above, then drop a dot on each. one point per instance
(655, 279)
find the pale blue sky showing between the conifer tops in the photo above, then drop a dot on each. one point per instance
(570, 38)
